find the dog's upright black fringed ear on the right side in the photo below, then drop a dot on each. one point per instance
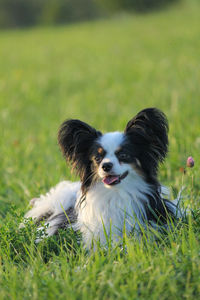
(149, 129)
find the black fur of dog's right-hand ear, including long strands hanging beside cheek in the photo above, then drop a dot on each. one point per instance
(147, 136)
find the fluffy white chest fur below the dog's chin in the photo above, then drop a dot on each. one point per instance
(115, 209)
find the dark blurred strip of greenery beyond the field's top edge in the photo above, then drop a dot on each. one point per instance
(21, 13)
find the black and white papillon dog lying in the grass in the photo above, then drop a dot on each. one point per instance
(118, 185)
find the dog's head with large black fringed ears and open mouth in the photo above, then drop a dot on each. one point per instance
(114, 156)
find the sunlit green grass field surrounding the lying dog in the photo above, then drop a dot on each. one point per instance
(102, 73)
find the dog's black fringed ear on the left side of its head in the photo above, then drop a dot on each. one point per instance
(75, 139)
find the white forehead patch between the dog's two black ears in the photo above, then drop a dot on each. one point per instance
(111, 141)
